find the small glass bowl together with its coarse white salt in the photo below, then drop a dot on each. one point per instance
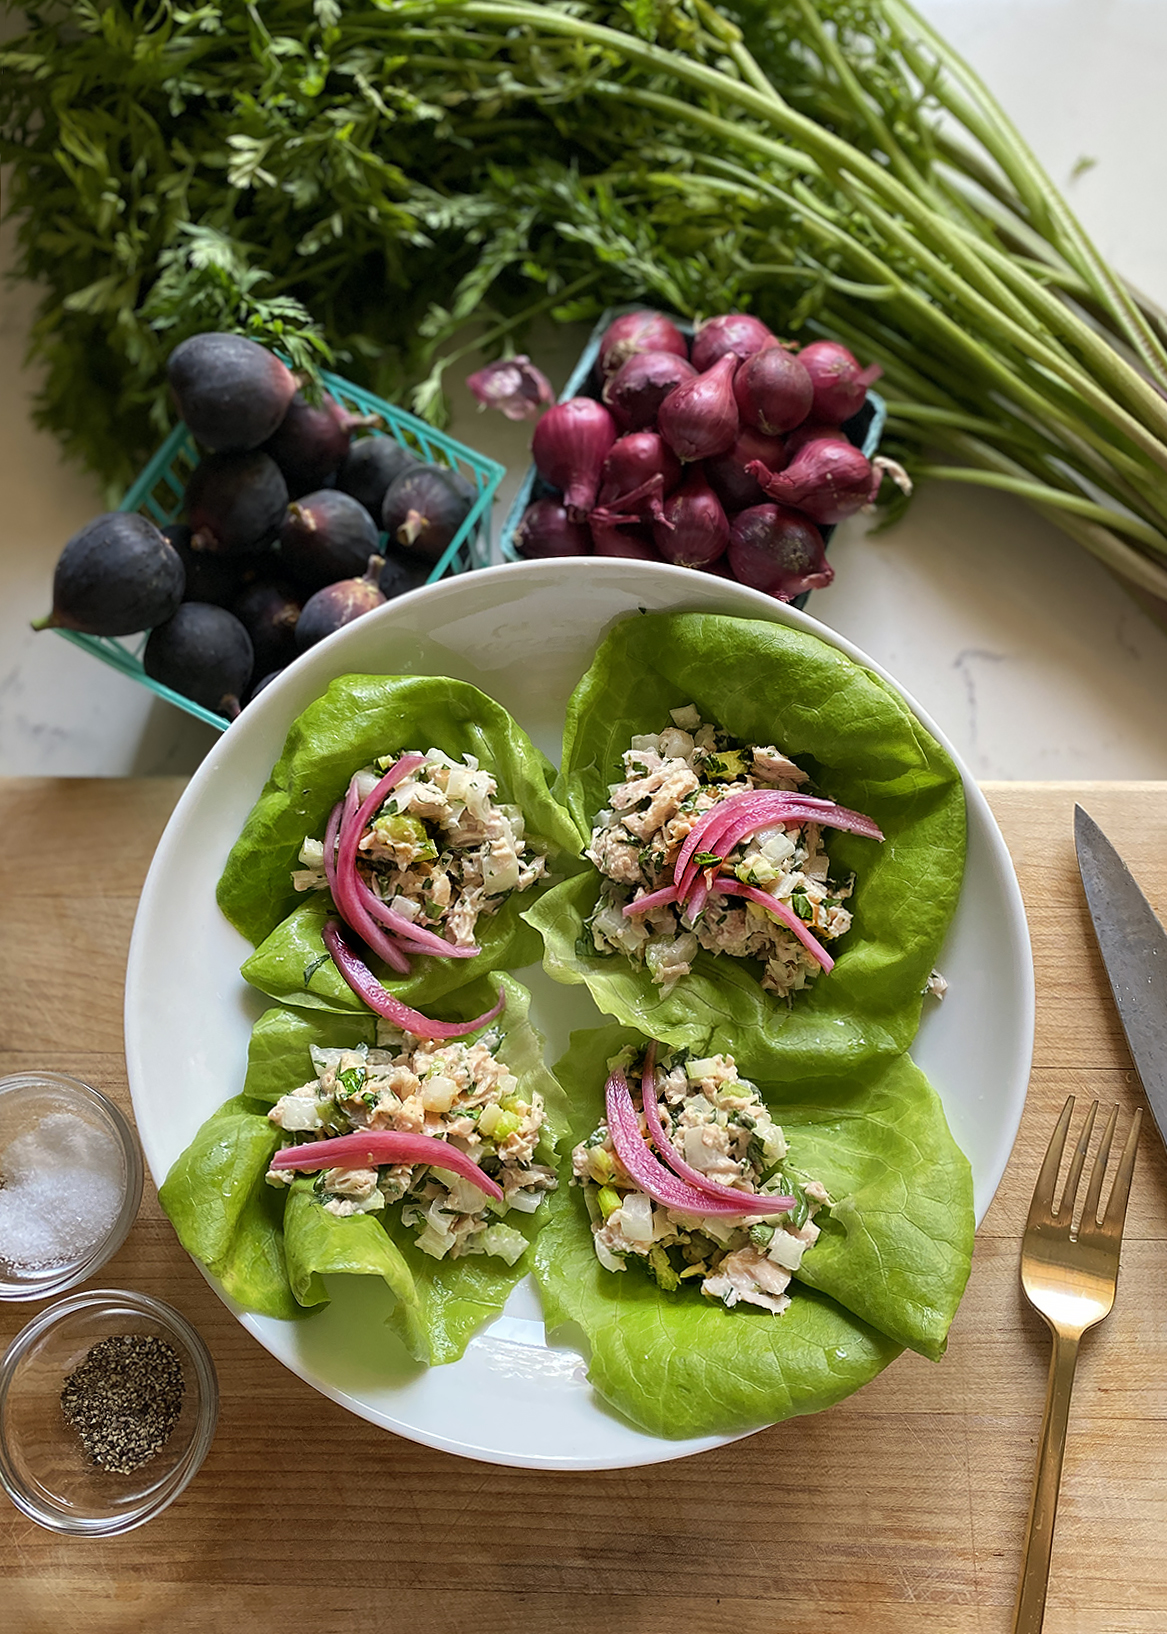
(71, 1184)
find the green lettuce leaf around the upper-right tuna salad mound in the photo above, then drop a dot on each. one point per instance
(862, 748)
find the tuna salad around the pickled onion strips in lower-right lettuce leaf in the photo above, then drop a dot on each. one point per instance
(717, 1125)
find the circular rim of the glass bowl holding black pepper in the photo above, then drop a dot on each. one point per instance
(189, 1465)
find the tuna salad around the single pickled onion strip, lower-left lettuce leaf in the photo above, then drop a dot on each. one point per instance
(452, 1092)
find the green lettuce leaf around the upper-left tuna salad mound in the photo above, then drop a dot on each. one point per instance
(359, 720)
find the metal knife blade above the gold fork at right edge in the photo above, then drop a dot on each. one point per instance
(1133, 949)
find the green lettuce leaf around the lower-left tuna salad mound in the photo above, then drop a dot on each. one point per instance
(272, 1249)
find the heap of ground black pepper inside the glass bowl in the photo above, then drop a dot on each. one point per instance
(125, 1400)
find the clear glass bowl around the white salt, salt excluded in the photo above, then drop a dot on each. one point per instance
(25, 1100)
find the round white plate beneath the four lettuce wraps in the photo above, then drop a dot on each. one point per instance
(524, 635)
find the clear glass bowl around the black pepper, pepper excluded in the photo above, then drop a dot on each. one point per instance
(43, 1465)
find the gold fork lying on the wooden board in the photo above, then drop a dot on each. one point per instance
(1070, 1277)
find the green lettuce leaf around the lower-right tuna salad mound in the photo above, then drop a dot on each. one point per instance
(887, 1272)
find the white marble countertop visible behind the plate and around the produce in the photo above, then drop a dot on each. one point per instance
(1024, 650)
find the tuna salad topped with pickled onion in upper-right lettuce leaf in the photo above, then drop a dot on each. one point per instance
(761, 895)
